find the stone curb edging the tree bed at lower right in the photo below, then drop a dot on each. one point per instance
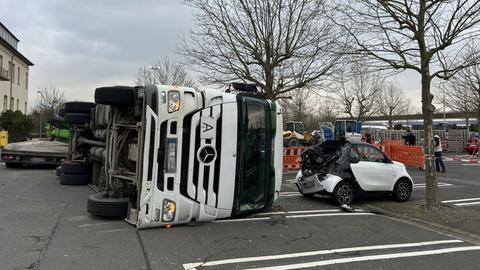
(457, 233)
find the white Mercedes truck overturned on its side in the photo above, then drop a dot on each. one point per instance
(163, 155)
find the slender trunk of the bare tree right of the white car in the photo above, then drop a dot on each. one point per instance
(430, 176)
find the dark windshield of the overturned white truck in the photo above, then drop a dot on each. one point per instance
(254, 181)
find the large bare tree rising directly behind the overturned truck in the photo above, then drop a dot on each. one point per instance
(280, 45)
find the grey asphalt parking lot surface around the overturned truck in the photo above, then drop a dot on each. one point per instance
(44, 225)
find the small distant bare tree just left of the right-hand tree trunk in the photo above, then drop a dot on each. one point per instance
(393, 103)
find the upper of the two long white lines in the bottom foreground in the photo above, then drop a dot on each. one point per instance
(192, 266)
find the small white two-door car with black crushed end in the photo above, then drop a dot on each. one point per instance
(345, 170)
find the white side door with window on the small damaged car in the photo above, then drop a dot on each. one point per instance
(373, 171)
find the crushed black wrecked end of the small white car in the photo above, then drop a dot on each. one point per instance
(330, 157)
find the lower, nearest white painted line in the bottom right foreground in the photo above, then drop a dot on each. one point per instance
(369, 258)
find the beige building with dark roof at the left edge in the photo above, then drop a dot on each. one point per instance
(14, 68)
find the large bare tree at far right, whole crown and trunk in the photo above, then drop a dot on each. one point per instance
(422, 35)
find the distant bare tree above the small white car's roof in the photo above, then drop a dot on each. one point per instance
(359, 91)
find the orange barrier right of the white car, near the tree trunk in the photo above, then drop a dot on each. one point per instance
(408, 155)
